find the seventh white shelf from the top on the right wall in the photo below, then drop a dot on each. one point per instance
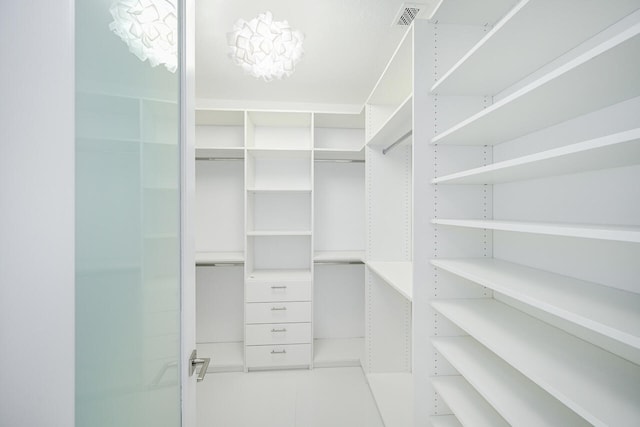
(512, 395)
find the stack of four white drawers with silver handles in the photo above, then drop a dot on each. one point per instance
(278, 315)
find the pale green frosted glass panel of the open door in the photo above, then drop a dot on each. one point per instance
(127, 227)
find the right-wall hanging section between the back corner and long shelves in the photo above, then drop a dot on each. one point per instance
(389, 278)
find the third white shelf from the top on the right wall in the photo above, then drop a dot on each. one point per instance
(620, 149)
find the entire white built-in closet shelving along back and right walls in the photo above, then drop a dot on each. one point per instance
(471, 238)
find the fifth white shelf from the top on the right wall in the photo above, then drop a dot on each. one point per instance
(609, 311)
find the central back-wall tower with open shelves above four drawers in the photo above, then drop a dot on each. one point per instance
(279, 228)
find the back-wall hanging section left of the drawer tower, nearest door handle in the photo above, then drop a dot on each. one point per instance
(220, 249)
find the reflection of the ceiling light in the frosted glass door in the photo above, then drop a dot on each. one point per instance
(149, 28)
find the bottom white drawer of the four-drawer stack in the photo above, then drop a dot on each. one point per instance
(278, 356)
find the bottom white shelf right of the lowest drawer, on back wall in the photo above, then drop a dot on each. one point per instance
(337, 352)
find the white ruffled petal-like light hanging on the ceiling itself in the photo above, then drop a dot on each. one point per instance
(265, 48)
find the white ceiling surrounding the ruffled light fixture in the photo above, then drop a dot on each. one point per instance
(347, 45)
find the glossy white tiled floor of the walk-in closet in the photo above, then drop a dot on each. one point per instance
(323, 397)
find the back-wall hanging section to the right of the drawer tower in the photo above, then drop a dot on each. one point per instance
(339, 239)
